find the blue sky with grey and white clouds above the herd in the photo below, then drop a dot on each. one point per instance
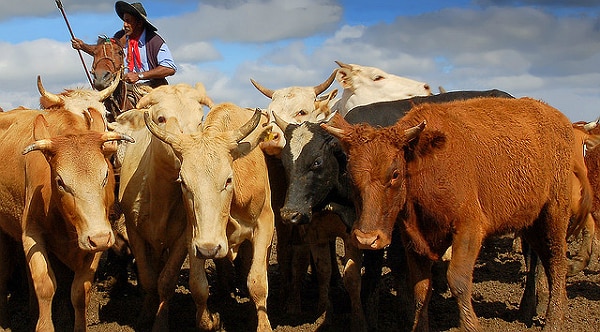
(545, 49)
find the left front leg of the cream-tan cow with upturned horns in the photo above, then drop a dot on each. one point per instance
(205, 320)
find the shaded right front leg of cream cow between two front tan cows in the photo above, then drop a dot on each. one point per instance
(167, 281)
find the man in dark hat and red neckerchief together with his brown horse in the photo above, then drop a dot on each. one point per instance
(137, 53)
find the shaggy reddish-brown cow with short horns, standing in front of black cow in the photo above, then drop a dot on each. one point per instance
(457, 173)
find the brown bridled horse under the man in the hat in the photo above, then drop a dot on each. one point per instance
(107, 66)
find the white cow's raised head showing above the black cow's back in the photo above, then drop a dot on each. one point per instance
(366, 85)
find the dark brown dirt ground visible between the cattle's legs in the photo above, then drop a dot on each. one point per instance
(498, 277)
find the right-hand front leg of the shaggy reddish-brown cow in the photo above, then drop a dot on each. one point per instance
(465, 249)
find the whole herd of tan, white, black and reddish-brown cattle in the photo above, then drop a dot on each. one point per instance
(168, 182)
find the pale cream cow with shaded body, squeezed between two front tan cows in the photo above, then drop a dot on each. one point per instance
(150, 193)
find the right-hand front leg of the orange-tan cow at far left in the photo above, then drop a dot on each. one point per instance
(80, 289)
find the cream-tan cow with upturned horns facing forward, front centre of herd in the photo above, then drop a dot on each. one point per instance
(227, 199)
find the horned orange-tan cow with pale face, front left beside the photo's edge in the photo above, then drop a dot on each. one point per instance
(56, 199)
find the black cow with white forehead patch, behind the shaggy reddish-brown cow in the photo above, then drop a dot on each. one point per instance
(315, 168)
